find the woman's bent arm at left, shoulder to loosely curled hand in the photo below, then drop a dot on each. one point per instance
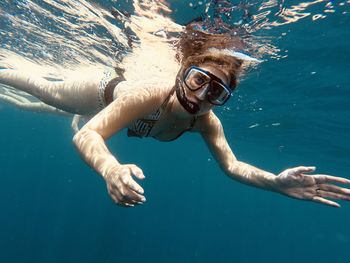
(90, 142)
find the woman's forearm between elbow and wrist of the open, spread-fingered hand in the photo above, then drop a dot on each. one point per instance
(251, 175)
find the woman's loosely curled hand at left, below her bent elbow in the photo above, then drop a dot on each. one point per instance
(122, 188)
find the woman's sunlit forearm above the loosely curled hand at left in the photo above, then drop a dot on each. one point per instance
(93, 150)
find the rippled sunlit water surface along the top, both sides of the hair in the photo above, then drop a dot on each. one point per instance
(55, 38)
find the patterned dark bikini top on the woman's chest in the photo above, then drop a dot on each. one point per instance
(143, 127)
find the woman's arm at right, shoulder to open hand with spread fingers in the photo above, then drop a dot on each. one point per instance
(292, 182)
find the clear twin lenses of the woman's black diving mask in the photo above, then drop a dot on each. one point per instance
(216, 92)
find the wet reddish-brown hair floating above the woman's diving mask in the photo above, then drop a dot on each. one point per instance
(194, 49)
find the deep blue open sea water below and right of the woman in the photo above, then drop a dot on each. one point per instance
(288, 112)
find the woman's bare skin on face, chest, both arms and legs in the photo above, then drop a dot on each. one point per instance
(136, 100)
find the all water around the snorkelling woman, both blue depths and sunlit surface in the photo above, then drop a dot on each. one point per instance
(290, 108)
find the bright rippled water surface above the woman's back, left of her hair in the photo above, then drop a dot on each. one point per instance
(57, 38)
